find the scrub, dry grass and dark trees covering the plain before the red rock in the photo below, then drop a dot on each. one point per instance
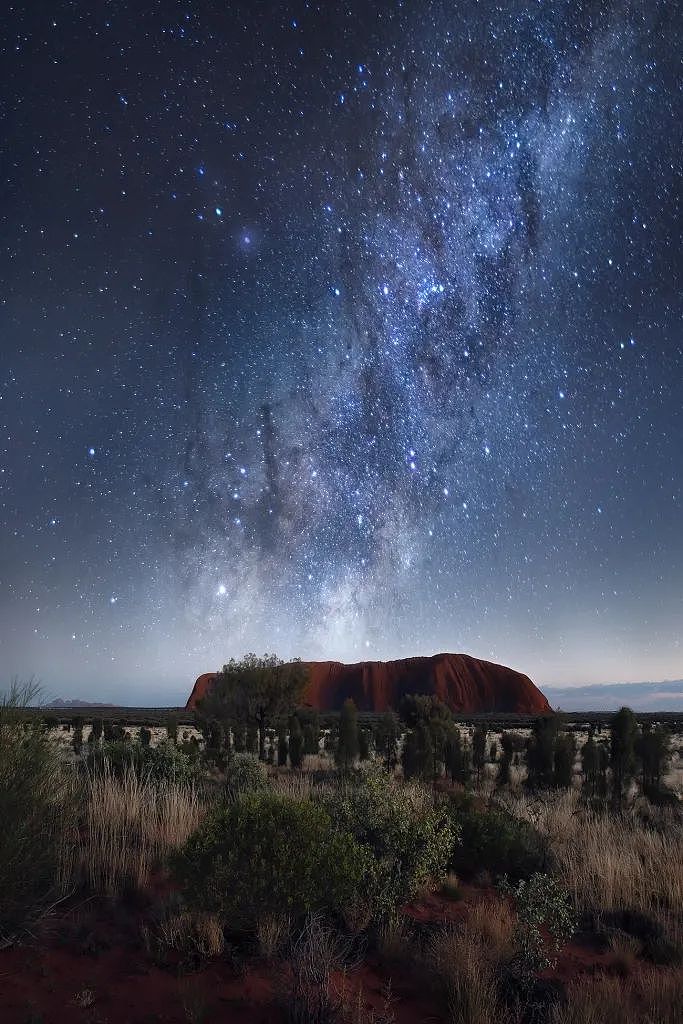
(537, 881)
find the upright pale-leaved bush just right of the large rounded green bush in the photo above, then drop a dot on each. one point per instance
(409, 839)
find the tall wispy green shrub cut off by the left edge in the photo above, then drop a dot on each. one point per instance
(36, 817)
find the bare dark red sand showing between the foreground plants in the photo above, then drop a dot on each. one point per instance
(53, 980)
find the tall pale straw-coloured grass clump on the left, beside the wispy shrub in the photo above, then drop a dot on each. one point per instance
(130, 825)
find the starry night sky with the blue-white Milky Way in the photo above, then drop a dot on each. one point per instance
(341, 330)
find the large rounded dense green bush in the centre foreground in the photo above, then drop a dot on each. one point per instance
(270, 855)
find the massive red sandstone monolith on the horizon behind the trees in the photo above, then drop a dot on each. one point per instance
(466, 685)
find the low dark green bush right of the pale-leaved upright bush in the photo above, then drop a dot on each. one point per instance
(494, 841)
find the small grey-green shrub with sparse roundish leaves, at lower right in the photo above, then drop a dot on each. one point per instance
(546, 921)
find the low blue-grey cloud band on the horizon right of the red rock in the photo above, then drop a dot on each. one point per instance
(667, 696)
